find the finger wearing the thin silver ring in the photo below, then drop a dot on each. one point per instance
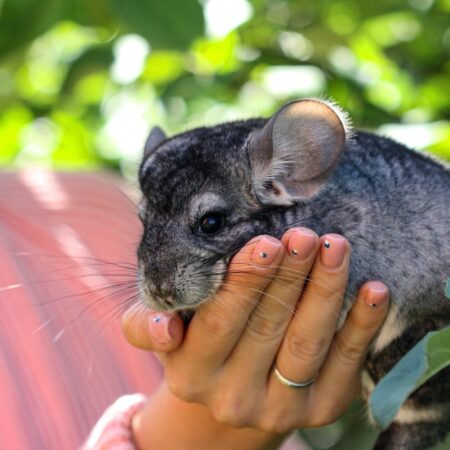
(311, 331)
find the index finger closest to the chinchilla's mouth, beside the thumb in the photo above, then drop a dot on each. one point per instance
(218, 324)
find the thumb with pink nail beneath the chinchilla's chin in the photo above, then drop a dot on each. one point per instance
(150, 330)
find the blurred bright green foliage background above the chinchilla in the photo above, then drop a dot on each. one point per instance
(82, 82)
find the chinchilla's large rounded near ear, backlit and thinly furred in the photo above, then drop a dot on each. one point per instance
(296, 151)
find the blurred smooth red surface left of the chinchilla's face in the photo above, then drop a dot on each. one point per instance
(67, 246)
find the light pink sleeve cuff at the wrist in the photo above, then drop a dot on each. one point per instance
(113, 430)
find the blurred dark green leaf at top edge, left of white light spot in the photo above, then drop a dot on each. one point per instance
(166, 24)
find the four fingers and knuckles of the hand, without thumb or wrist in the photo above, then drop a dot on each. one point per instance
(232, 341)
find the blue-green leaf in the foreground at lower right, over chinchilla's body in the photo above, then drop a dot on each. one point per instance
(430, 355)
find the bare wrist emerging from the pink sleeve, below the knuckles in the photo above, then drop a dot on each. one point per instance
(169, 423)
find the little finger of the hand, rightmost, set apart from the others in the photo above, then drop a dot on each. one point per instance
(350, 346)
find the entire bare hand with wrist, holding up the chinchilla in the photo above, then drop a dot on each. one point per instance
(220, 390)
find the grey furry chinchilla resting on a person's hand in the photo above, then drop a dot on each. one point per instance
(208, 191)
